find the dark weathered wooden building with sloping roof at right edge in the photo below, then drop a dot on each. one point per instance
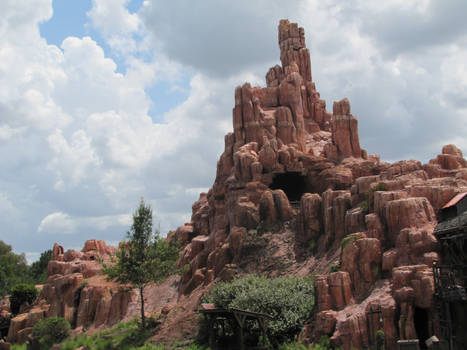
(450, 276)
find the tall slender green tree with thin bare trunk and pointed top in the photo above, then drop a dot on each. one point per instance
(144, 257)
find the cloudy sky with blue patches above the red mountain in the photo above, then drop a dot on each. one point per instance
(103, 102)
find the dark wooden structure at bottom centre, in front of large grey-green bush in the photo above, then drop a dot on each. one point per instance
(221, 321)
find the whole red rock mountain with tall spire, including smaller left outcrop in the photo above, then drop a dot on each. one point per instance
(294, 194)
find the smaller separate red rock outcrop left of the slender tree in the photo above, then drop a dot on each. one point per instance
(76, 291)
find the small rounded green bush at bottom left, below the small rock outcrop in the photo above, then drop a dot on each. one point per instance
(51, 330)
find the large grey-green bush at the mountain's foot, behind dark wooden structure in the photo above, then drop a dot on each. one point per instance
(289, 300)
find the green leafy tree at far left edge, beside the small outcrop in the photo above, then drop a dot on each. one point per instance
(13, 269)
